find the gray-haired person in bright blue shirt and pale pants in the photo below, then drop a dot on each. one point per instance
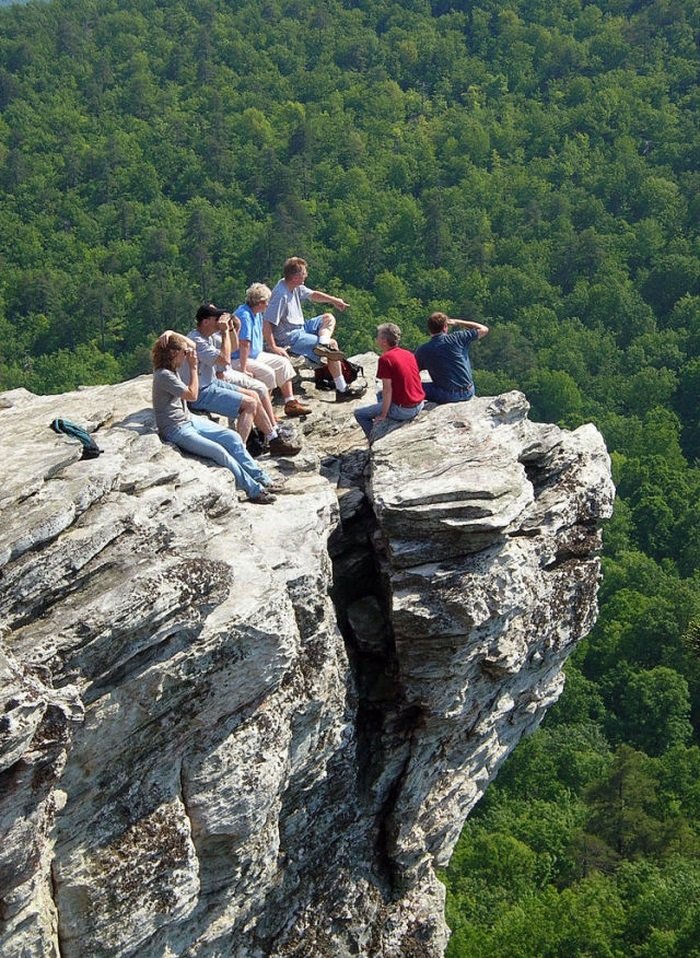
(272, 369)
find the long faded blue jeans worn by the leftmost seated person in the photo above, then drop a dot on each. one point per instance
(202, 437)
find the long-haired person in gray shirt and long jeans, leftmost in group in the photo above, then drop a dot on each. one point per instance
(197, 434)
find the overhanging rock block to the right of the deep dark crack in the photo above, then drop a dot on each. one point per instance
(499, 532)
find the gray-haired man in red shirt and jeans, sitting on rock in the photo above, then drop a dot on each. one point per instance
(402, 395)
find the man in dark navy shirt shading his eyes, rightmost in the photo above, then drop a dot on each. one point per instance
(446, 357)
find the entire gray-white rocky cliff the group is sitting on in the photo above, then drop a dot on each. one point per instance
(231, 730)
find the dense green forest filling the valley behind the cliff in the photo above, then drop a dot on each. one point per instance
(529, 163)
